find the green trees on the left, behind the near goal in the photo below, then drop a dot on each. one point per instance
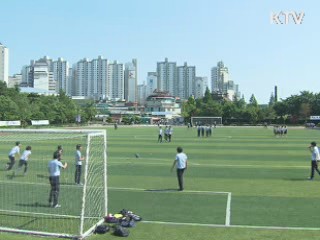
(59, 109)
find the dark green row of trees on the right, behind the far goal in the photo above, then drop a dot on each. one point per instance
(294, 110)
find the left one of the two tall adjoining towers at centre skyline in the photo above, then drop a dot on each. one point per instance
(167, 76)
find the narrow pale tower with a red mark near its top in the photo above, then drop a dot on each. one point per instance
(130, 81)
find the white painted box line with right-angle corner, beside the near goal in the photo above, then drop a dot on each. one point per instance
(228, 207)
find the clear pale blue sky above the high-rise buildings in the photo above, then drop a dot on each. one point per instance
(258, 53)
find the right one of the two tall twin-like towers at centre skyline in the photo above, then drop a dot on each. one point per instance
(186, 76)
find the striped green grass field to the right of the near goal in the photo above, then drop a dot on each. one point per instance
(267, 177)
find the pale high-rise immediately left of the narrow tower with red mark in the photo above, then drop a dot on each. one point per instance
(115, 84)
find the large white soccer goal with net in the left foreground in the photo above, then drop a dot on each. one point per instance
(24, 197)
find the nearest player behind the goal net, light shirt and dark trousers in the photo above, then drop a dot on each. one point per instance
(54, 178)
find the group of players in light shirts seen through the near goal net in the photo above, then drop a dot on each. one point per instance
(54, 168)
